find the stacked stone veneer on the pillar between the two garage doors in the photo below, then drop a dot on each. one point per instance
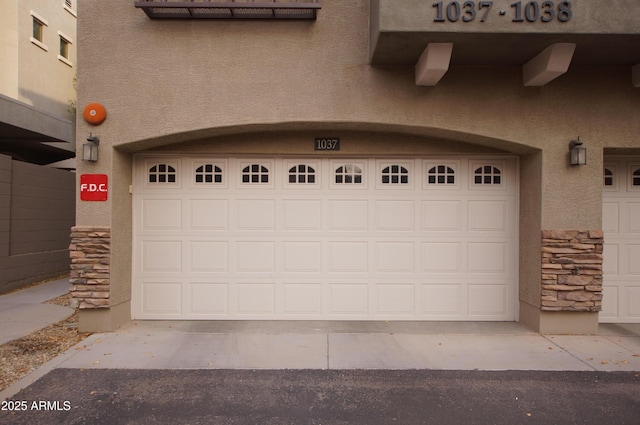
(572, 270)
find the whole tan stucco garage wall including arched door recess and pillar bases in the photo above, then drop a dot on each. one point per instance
(264, 87)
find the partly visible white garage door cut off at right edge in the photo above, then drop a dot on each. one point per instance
(621, 224)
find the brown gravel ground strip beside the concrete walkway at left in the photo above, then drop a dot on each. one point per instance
(20, 357)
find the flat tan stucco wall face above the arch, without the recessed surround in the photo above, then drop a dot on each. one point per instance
(169, 81)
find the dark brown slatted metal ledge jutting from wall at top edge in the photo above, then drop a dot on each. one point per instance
(230, 9)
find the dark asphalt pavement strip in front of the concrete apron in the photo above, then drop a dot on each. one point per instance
(367, 397)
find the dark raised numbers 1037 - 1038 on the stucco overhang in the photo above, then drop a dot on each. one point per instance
(518, 11)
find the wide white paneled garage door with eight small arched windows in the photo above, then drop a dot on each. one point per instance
(330, 239)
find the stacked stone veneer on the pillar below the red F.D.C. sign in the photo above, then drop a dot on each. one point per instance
(90, 258)
